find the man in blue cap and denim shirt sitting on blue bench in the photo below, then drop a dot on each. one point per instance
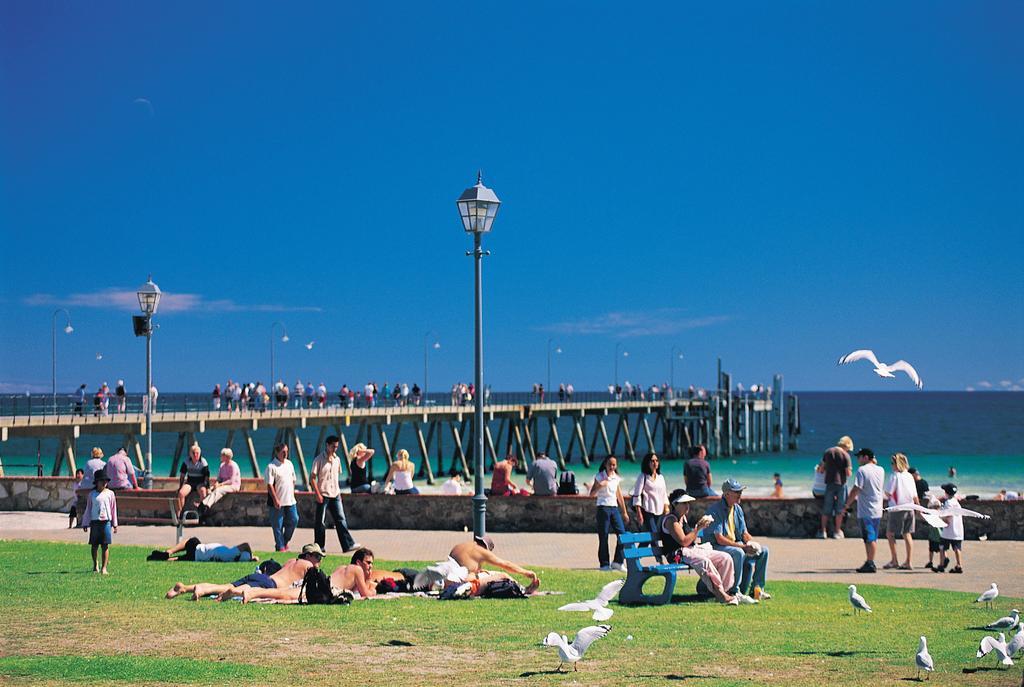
(729, 533)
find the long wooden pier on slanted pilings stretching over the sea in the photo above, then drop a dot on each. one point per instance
(443, 437)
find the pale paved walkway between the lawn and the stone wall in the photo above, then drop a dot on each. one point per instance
(815, 561)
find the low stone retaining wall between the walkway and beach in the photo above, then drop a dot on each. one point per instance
(766, 518)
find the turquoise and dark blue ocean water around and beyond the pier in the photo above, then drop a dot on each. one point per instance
(980, 435)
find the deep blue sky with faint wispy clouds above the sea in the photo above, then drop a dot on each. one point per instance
(776, 186)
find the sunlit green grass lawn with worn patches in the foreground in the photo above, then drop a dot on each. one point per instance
(62, 624)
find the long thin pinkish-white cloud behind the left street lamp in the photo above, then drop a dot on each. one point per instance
(170, 303)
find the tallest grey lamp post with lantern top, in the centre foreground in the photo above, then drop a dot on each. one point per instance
(478, 209)
